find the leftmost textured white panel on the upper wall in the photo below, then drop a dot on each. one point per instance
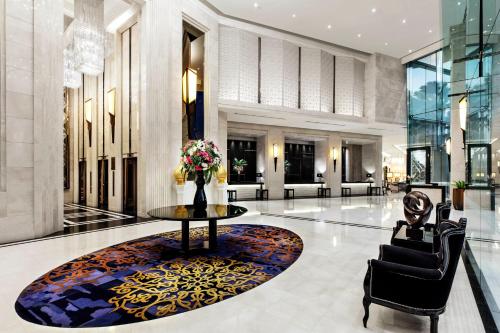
(229, 63)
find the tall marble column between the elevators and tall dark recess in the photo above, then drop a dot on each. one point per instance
(160, 119)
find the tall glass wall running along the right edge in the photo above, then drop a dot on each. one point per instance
(473, 38)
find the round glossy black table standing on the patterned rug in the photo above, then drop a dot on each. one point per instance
(187, 213)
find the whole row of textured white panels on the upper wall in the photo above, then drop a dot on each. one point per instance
(279, 84)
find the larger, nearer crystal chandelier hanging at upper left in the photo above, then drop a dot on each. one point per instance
(89, 36)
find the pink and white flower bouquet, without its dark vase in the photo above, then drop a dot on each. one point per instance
(201, 156)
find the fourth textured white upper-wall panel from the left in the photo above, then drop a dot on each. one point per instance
(290, 75)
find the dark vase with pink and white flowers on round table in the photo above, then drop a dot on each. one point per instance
(202, 158)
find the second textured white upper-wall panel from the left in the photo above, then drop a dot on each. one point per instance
(249, 67)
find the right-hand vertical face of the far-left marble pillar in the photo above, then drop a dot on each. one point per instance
(48, 120)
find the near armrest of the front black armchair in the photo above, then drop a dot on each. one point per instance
(384, 267)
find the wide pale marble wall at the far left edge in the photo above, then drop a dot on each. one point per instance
(32, 194)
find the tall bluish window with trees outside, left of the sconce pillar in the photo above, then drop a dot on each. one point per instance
(428, 81)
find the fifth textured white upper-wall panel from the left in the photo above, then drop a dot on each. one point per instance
(310, 79)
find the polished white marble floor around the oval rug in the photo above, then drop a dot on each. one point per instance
(321, 292)
